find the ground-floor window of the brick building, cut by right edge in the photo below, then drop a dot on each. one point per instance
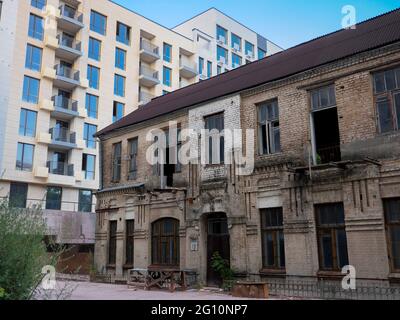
(392, 219)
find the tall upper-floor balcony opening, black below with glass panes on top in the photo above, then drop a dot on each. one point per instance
(325, 126)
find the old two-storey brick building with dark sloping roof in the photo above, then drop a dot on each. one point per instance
(325, 190)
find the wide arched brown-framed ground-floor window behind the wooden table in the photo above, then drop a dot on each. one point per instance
(165, 242)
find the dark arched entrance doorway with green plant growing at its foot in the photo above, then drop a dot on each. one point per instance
(217, 241)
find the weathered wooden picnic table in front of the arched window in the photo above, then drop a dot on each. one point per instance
(160, 277)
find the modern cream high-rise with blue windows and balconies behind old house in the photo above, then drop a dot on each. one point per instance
(69, 68)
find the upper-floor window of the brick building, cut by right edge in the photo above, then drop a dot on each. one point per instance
(387, 98)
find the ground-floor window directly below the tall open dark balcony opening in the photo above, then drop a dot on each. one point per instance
(331, 236)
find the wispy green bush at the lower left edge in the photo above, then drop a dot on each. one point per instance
(23, 251)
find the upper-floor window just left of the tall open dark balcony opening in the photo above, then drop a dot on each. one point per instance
(268, 128)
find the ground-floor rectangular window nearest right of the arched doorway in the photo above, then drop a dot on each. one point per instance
(273, 247)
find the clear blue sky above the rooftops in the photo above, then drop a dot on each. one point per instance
(285, 22)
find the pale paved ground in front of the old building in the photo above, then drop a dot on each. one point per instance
(100, 291)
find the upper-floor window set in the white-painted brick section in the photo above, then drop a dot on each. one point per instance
(215, 139)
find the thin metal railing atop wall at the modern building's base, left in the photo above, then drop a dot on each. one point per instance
(67, 206)
